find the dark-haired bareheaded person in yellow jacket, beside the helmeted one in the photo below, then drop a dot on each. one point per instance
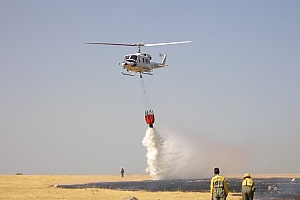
(218, 186)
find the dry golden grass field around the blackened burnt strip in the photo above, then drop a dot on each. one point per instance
(42, 187)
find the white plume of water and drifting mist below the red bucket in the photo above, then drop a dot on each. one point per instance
(172, 156)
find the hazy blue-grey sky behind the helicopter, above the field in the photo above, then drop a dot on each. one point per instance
(232, 95)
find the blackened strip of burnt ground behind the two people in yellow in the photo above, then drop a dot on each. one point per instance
(266, 188)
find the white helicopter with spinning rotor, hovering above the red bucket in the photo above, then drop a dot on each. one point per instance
(140, 62)
